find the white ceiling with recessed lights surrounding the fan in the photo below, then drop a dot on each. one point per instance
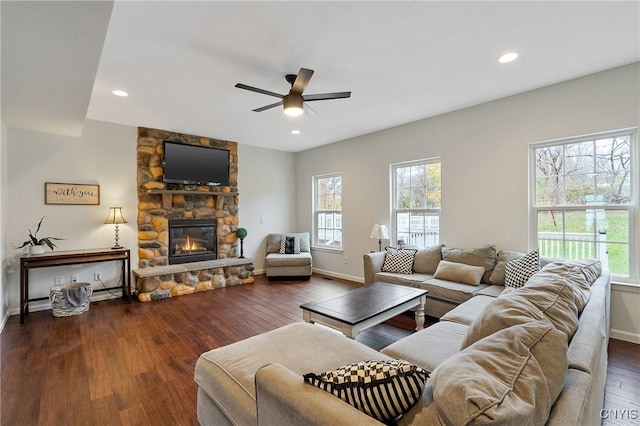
(403, 61)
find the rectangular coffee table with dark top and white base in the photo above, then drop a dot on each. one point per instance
(365, 307)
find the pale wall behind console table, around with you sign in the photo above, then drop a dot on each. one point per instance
(105, 154)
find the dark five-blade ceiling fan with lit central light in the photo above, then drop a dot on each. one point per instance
(295, 102)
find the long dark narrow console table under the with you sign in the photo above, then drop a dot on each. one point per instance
(71, 257)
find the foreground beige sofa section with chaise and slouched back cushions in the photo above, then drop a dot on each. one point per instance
(534, 355)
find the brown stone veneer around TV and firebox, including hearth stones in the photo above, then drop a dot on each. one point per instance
(153, 217)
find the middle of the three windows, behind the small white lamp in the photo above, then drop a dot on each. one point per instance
(416, 203)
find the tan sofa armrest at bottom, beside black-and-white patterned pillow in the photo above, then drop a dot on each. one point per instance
(283, 398)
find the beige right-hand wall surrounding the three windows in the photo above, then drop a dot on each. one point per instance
(484, 152)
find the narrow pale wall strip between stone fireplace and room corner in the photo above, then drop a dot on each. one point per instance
(266, 183)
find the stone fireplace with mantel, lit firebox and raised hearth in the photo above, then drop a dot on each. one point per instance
(186, 233)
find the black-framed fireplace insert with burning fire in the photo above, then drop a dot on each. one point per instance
(192, 240)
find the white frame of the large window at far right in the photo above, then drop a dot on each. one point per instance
(631, 207)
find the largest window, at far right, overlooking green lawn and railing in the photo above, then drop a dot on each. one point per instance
(584, 199)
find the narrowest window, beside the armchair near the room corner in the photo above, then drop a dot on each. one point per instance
(328, 211)
